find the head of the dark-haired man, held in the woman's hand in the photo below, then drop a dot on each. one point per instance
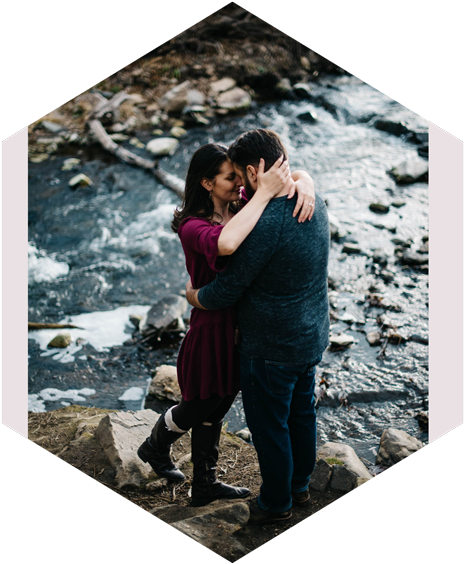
(246, 151)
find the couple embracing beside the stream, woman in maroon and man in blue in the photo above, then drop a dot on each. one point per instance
(256, 241)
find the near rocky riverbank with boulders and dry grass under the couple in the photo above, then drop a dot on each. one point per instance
(102, 445)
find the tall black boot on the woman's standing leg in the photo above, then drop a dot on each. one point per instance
(205, 453)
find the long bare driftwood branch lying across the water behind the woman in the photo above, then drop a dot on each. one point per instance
(106, 107)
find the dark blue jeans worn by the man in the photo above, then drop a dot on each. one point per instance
(280, 411)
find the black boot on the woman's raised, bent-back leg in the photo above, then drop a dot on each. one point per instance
(156, 450)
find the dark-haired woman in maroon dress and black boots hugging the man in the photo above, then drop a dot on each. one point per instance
(211, 225)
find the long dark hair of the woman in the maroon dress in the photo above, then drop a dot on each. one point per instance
(206, 163)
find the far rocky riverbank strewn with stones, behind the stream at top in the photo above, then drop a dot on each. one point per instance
(220, 65)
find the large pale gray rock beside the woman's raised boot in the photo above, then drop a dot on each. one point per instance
(120, 434)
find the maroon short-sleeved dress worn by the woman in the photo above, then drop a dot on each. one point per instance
(208, 361)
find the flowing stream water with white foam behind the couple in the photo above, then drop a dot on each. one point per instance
(100, 253)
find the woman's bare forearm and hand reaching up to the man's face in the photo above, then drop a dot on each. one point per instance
(239, 227)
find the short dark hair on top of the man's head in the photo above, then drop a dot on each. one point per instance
(254, 145)
